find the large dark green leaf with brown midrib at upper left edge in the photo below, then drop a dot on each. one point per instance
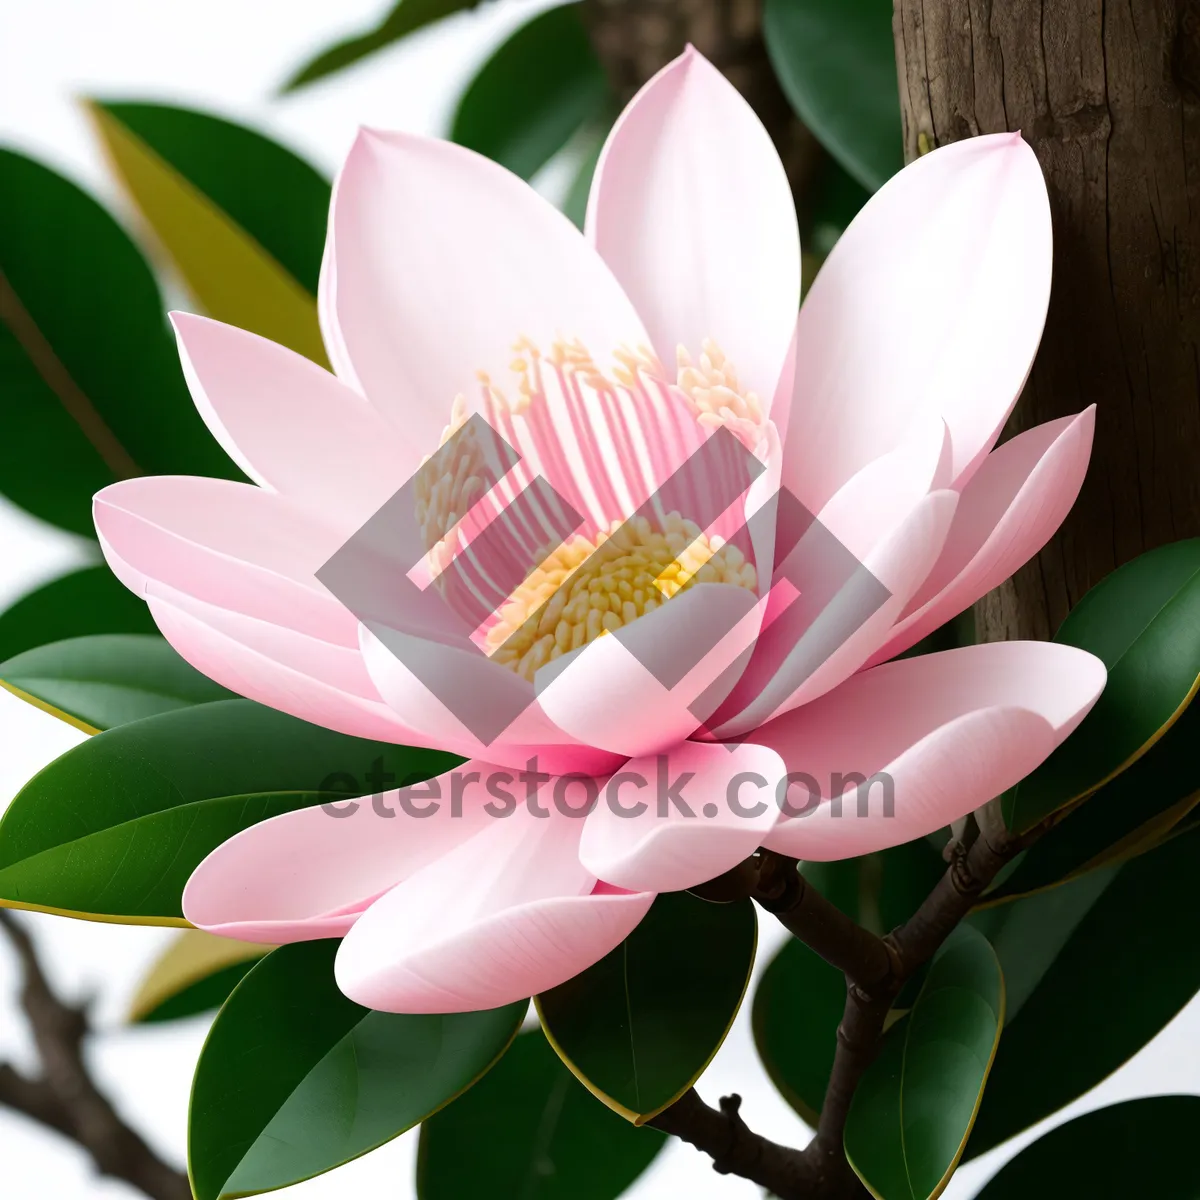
(92, 381)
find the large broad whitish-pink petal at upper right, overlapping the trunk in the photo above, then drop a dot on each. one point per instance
(959, 243)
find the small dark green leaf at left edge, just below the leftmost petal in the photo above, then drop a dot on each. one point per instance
(87, 602)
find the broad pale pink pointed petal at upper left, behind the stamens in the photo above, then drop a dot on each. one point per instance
(441, 261)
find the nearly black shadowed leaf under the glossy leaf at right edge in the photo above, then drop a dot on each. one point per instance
(1125, 818)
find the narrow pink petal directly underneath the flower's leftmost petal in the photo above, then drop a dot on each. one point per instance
(287, 670)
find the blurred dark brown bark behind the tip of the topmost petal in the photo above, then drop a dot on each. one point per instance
(634, 39)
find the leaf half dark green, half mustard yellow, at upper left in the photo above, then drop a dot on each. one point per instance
(242, 218)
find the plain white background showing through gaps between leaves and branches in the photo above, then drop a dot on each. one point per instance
(229, 57)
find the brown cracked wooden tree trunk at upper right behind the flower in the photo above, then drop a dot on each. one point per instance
(1109, 98)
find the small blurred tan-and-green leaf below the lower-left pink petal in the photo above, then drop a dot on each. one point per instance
(194, 975)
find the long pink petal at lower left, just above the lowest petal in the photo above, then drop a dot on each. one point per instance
(309, 874)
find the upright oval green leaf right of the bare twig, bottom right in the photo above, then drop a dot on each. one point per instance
(914, 1109)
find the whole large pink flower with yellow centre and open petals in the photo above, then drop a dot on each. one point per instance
(878, 410)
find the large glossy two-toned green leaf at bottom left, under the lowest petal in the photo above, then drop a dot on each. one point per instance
(295, 1079)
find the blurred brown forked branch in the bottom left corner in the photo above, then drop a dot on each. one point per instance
(64, 1097)
